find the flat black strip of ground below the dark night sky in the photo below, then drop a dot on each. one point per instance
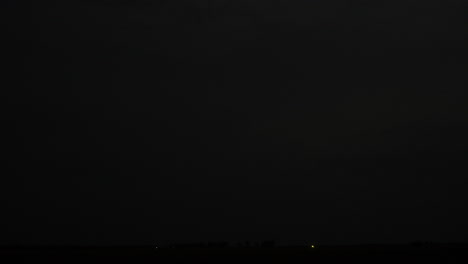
(335, 254)
